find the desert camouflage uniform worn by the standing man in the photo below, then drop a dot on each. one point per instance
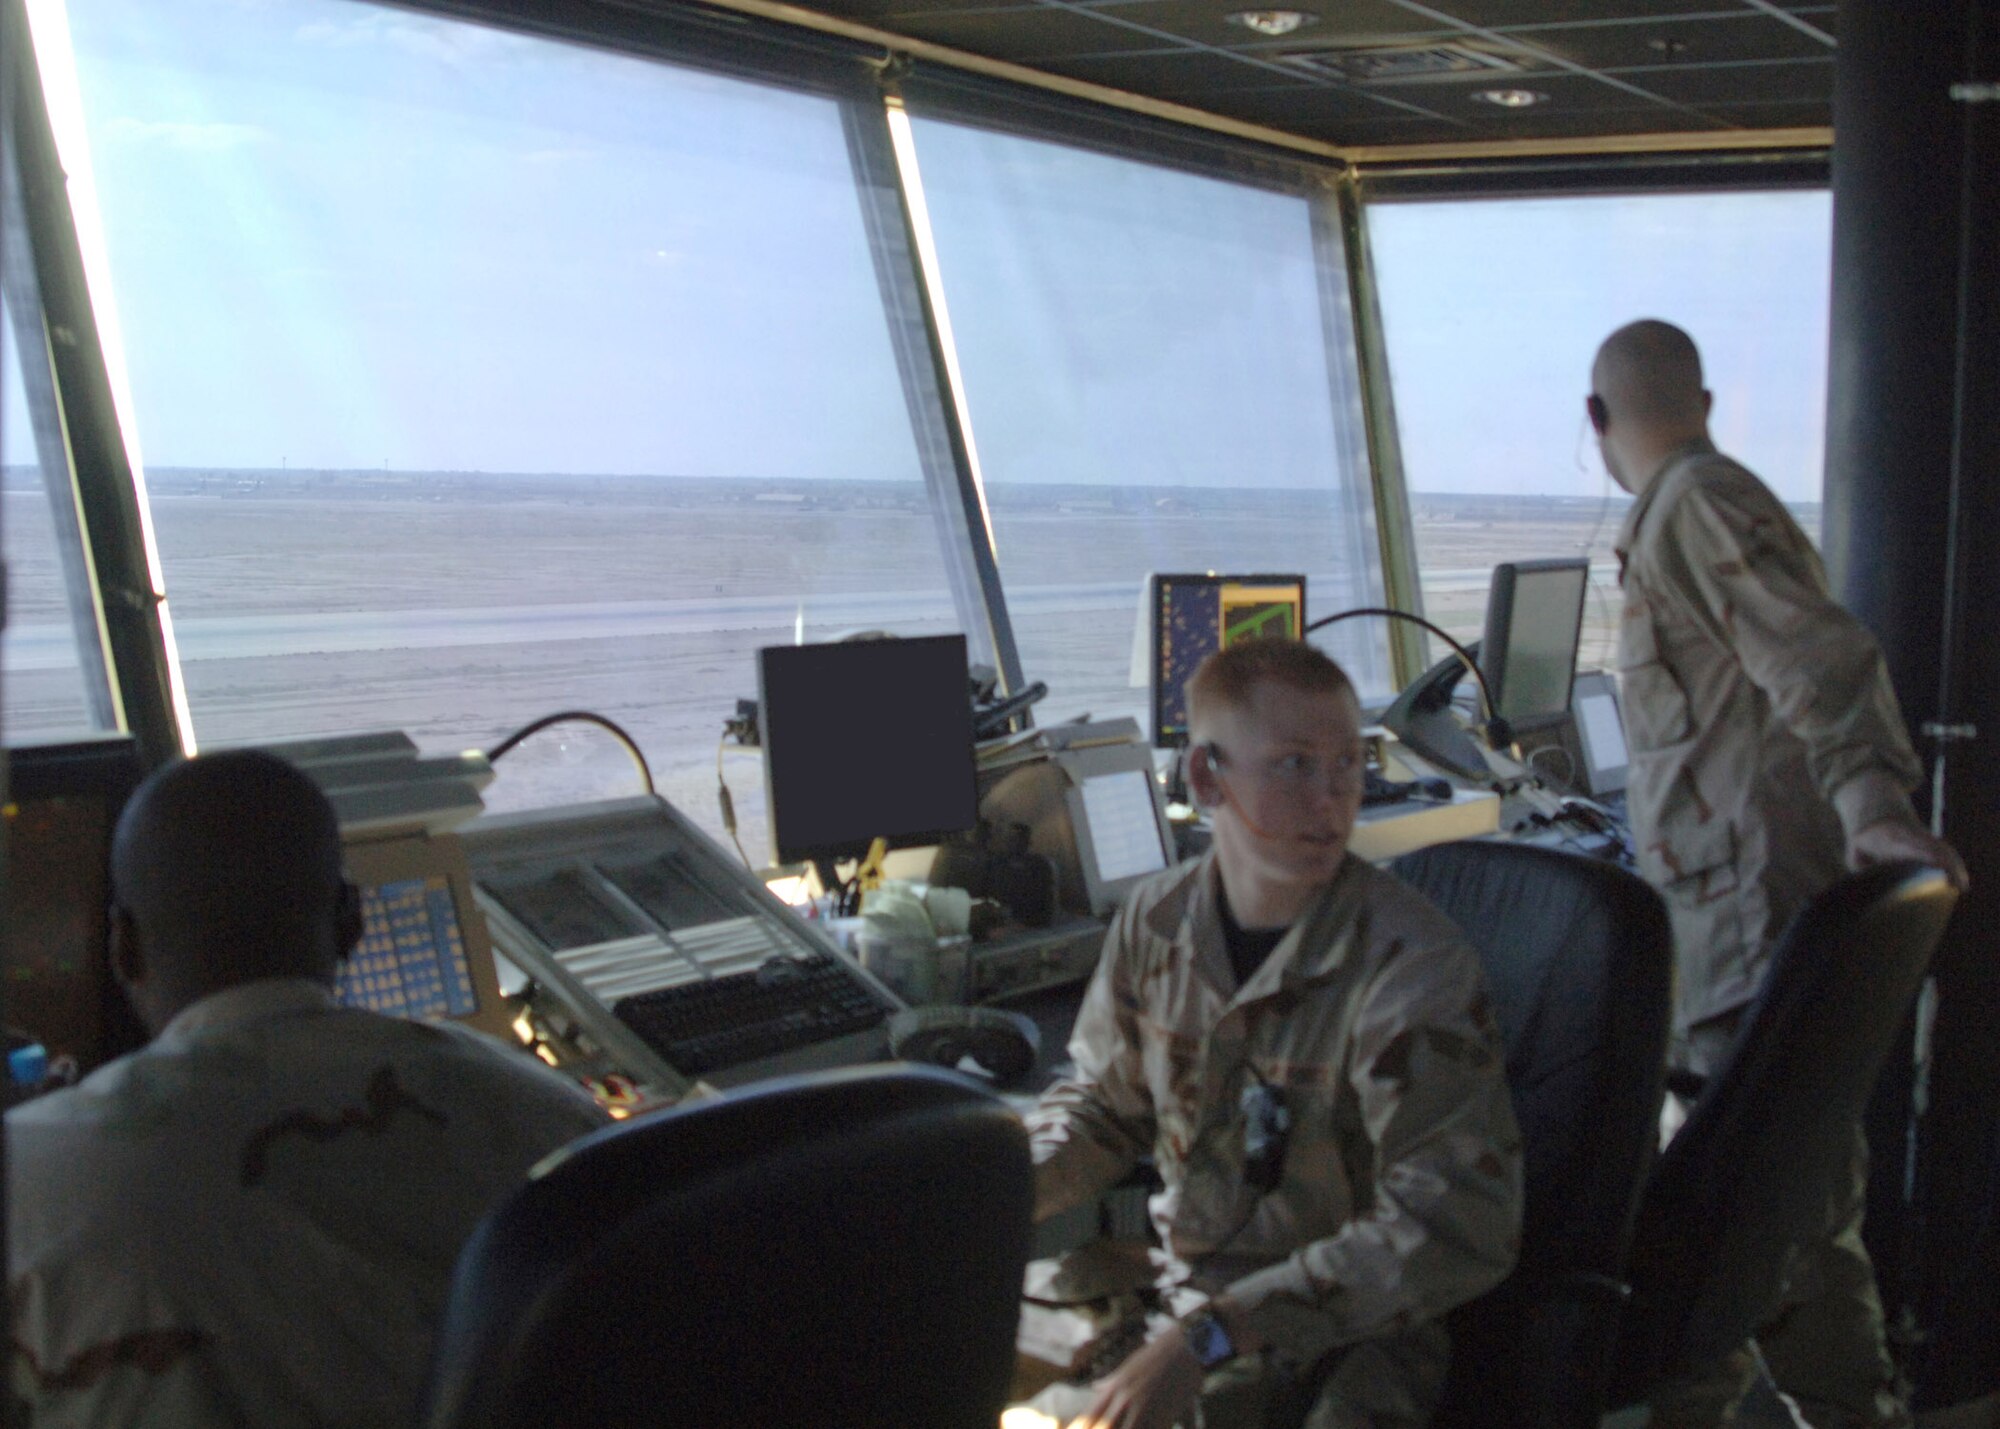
(1763, 734)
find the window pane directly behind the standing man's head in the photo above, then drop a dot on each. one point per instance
(1493, 315)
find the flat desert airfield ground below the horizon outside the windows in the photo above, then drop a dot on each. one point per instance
(461, 613)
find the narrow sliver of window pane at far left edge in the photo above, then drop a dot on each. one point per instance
(45, 691)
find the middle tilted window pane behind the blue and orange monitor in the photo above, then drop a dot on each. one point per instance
(1153, 387)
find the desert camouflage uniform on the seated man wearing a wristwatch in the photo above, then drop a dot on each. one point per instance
(1401, 1186)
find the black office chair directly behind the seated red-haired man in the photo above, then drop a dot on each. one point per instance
(1579, 960)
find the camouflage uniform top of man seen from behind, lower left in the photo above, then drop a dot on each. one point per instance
(255, 1220)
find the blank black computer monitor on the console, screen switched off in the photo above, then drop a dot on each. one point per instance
(865, 740)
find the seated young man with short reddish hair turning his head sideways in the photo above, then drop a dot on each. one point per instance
(1307, 1050)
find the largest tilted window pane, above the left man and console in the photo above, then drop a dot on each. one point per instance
(483, 377)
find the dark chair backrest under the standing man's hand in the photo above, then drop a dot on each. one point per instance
(1747, 1178)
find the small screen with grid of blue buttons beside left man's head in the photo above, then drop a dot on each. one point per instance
(413, 954)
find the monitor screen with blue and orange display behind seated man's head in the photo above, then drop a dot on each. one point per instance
(1197, 615)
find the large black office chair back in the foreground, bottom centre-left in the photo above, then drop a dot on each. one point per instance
(837, 1250)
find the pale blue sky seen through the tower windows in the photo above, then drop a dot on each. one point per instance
(351, 237)
